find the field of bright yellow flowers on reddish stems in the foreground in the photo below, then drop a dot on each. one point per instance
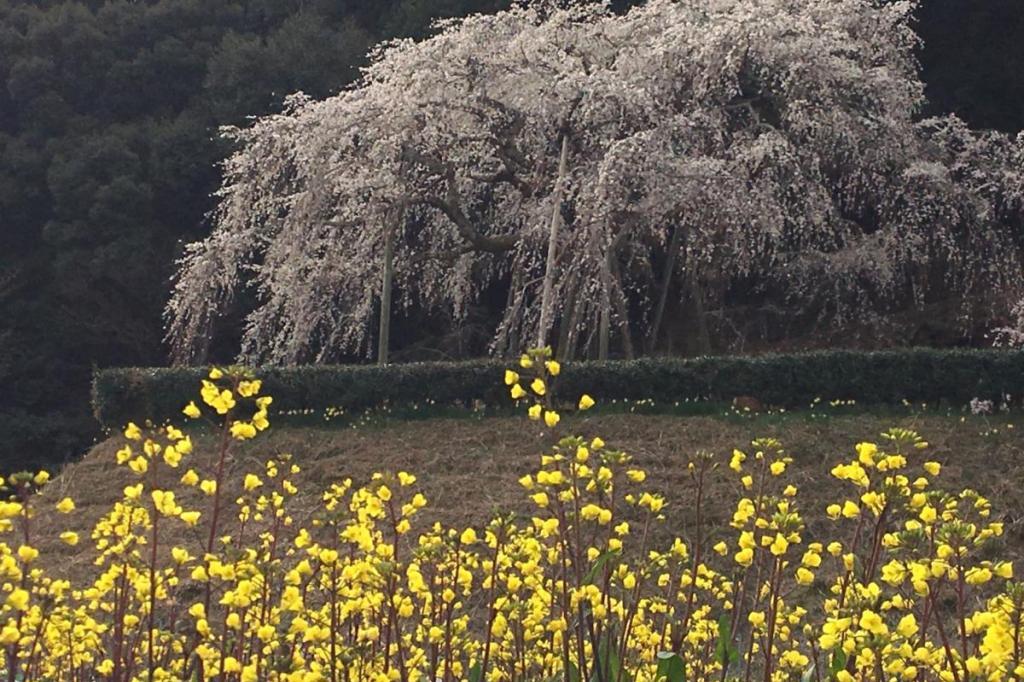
(202, 573)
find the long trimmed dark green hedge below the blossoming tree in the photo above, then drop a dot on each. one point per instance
(952, 377)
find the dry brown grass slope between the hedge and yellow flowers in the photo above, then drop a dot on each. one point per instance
(468, 470)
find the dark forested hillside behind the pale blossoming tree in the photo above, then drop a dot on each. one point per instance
(109, 151)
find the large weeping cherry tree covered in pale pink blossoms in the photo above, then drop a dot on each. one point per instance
(602, 168)
